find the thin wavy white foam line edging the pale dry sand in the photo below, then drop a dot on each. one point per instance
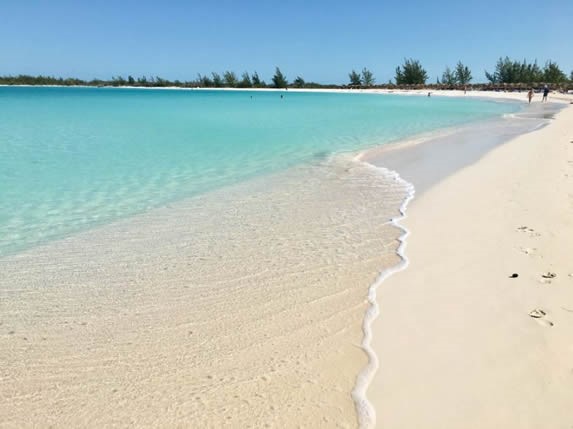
(365, 410)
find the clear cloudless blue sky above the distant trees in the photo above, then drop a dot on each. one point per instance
(319, 40)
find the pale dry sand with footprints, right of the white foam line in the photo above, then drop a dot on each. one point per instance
(456, 342)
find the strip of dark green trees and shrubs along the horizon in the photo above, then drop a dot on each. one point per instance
(507, 73)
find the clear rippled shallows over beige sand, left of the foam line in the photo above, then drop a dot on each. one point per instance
(241, 308)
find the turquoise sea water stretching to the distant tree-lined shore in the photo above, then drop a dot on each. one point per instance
(71, 158)
